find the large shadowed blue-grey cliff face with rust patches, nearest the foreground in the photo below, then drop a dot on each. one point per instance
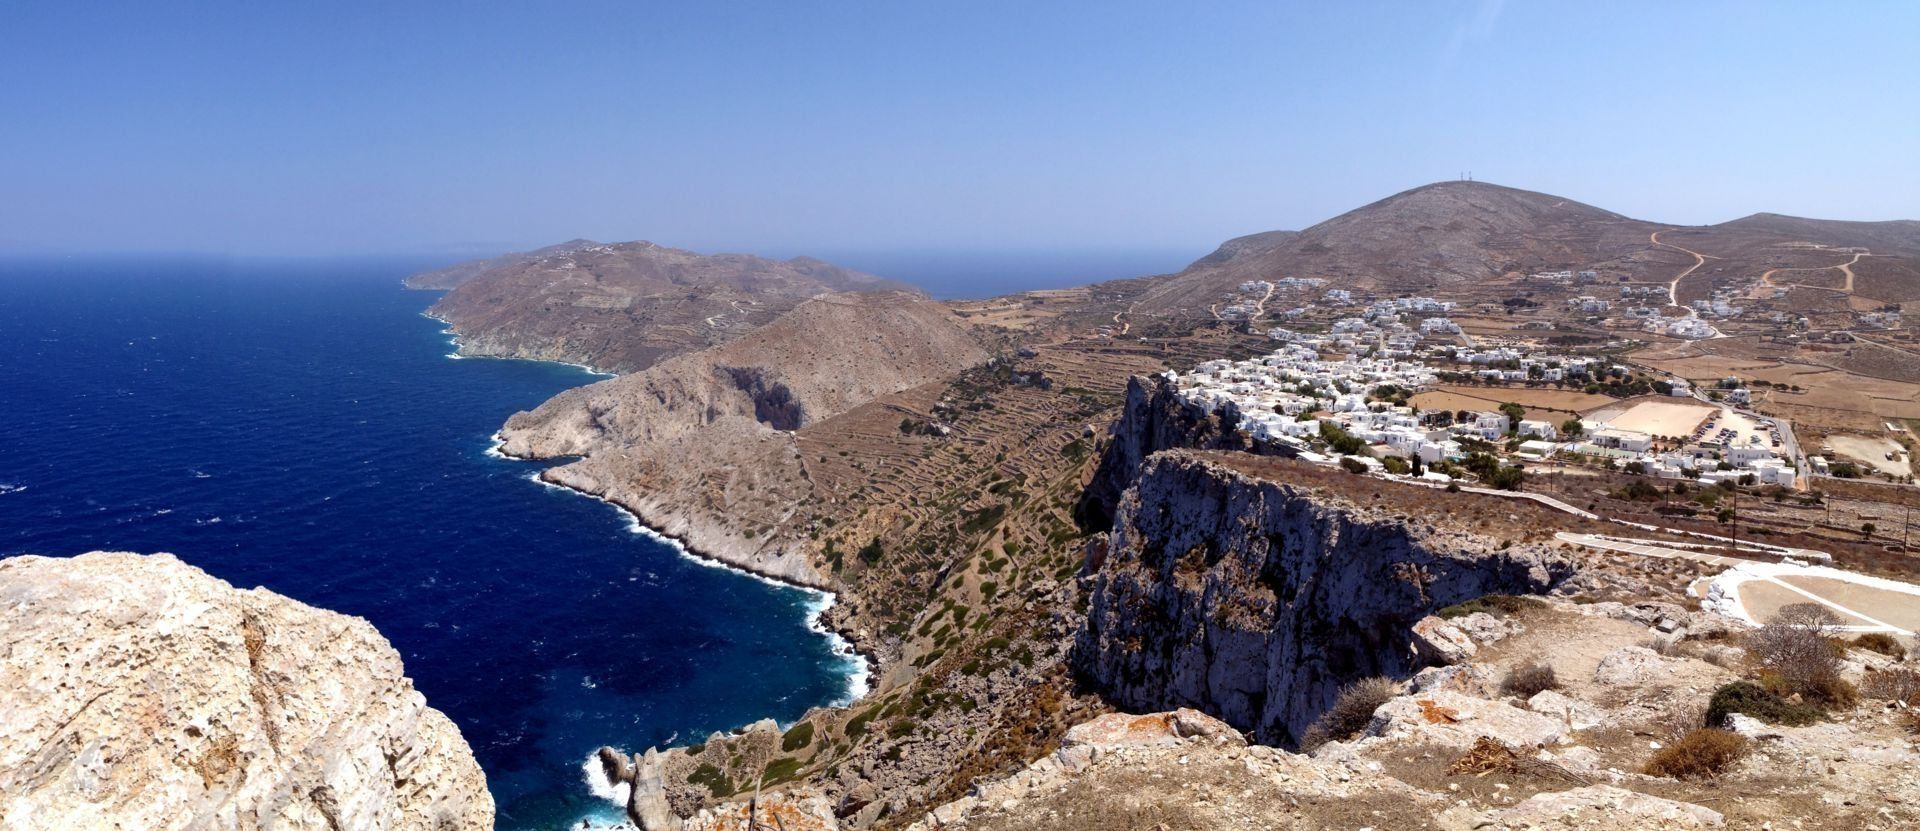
(1257, 600)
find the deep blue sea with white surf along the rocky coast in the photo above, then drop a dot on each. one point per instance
(300, 427)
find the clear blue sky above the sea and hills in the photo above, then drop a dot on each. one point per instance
(782, 128)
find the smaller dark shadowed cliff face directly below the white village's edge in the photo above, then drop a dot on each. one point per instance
(1155, 419)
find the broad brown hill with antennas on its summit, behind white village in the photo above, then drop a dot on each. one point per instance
(1460, 239)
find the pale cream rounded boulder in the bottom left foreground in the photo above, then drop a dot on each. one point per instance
(143, 694)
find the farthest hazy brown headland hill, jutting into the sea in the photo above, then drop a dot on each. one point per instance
(633, 304)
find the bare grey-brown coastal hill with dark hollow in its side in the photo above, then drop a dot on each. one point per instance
(704, 444)
